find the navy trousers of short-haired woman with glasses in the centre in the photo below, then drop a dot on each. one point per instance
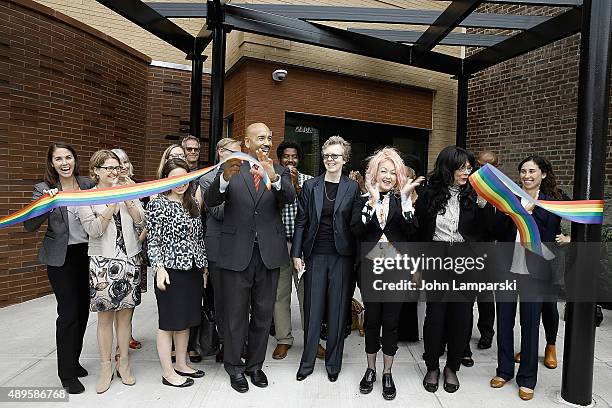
(327, 283)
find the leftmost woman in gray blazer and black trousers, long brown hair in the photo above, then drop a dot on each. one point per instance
(64, 251)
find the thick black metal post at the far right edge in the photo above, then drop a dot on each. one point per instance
(591, 143)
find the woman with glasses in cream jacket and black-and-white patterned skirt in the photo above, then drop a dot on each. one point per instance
(114, 267)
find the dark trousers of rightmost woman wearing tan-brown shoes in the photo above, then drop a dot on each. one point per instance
(530, 329)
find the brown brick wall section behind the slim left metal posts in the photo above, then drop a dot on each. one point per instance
(168, 104)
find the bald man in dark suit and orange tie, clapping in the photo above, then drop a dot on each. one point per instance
(253, 248)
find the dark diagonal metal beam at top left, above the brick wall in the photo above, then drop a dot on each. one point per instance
(146, 17)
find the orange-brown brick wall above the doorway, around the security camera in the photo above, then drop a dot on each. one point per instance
(253, 96)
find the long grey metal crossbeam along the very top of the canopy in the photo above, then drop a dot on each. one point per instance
(359, 14)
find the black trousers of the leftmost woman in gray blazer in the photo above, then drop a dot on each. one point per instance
(70, 283)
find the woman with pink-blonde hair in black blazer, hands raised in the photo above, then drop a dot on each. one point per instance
(384, 216)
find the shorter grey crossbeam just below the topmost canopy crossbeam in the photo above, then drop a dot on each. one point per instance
(456, 39)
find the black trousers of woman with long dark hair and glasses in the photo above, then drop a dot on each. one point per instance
(446, 322)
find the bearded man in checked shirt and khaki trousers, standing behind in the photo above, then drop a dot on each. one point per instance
(289, 154)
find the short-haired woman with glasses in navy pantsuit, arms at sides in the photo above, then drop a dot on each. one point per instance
(323, 238)
